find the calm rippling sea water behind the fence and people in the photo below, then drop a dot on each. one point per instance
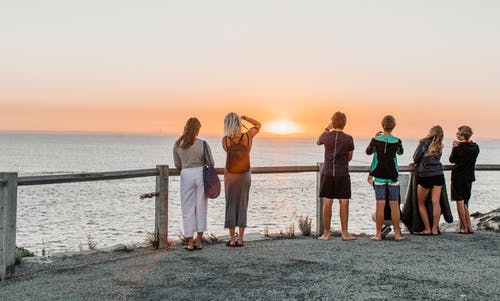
(60, 217)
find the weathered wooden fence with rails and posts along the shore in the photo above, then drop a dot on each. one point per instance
(10, 181)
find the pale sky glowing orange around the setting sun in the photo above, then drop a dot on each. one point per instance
(147, 66)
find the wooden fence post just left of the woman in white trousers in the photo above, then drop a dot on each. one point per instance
(161, 207)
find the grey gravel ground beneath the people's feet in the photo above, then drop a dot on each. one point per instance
(446, 267)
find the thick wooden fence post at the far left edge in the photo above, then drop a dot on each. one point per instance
(8, 209)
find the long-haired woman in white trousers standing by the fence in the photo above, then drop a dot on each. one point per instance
(189, 158)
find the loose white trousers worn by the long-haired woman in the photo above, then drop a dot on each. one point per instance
(193, 201)
